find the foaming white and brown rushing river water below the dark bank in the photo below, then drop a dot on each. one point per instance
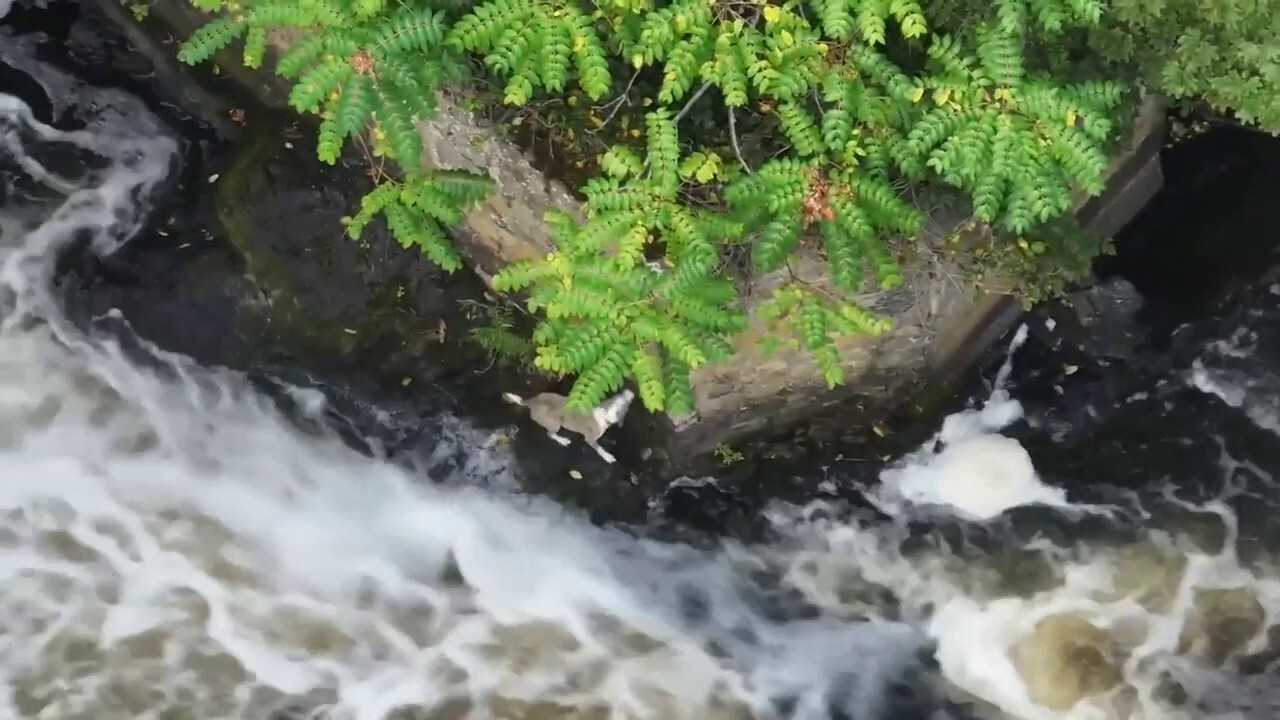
(172, 548)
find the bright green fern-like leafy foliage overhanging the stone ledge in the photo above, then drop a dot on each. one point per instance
(770, 129)
